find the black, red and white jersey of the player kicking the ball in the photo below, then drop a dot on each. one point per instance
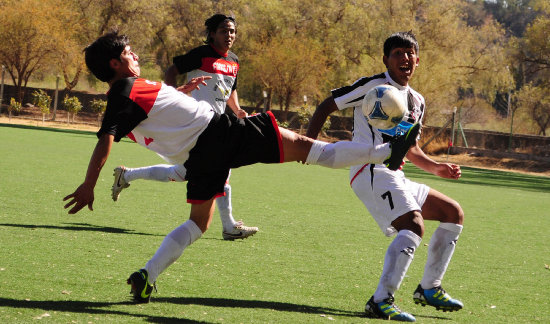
(156, 116)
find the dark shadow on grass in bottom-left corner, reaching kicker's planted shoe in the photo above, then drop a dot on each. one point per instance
(87, 307)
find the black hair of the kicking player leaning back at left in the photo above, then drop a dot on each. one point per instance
(102, 51)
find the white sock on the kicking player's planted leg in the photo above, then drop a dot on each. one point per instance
(172, 248)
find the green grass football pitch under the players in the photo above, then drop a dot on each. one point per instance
(316, 259)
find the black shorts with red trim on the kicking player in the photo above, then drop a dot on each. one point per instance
(227, 143)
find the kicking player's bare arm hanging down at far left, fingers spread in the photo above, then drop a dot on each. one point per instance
(84, 194)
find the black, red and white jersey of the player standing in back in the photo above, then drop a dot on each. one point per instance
(206, 61)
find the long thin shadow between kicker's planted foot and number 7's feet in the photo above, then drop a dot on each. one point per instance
(255, 304)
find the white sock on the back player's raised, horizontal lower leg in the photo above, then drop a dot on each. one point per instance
(159, 172)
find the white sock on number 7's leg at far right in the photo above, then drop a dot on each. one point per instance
(440, 251)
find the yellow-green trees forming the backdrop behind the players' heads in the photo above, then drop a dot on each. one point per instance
(469, 50)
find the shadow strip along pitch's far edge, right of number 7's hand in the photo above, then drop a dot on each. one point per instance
(494, 178)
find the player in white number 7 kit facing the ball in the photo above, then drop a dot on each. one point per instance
(398, 204)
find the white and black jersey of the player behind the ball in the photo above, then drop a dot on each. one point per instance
(352, 97)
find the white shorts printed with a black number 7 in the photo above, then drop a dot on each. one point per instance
(387, 194)
